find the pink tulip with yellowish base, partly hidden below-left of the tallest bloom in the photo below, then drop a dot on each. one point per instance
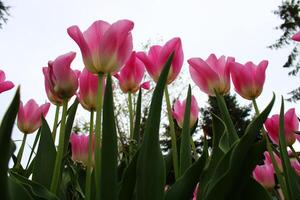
(88, 87)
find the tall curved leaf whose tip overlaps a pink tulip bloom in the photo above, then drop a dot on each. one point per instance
(150, 165)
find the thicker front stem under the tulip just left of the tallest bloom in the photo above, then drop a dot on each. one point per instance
(60, 150)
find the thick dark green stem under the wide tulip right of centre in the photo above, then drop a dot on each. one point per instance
(231, 135)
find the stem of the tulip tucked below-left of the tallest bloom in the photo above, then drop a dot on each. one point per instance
(89, 166)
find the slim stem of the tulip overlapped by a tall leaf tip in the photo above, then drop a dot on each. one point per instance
(172, 133)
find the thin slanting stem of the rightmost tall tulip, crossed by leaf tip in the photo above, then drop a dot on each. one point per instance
(269, 148)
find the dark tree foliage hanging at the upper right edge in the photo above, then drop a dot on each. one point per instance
(288, 12)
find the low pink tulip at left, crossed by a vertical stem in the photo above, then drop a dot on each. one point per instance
(80, 148)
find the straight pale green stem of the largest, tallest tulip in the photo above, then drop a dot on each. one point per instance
(98, 135)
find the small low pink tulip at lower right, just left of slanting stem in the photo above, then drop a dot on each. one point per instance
(264, 174)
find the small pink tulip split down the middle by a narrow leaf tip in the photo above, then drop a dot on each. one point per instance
(179, 109)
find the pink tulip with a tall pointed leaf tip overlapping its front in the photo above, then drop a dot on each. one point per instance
(158, 56)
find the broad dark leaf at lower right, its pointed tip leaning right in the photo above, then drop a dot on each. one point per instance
(238, 163)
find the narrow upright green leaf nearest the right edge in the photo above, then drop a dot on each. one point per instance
(292, 179)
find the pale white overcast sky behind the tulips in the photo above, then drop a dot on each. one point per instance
(36, 32)
